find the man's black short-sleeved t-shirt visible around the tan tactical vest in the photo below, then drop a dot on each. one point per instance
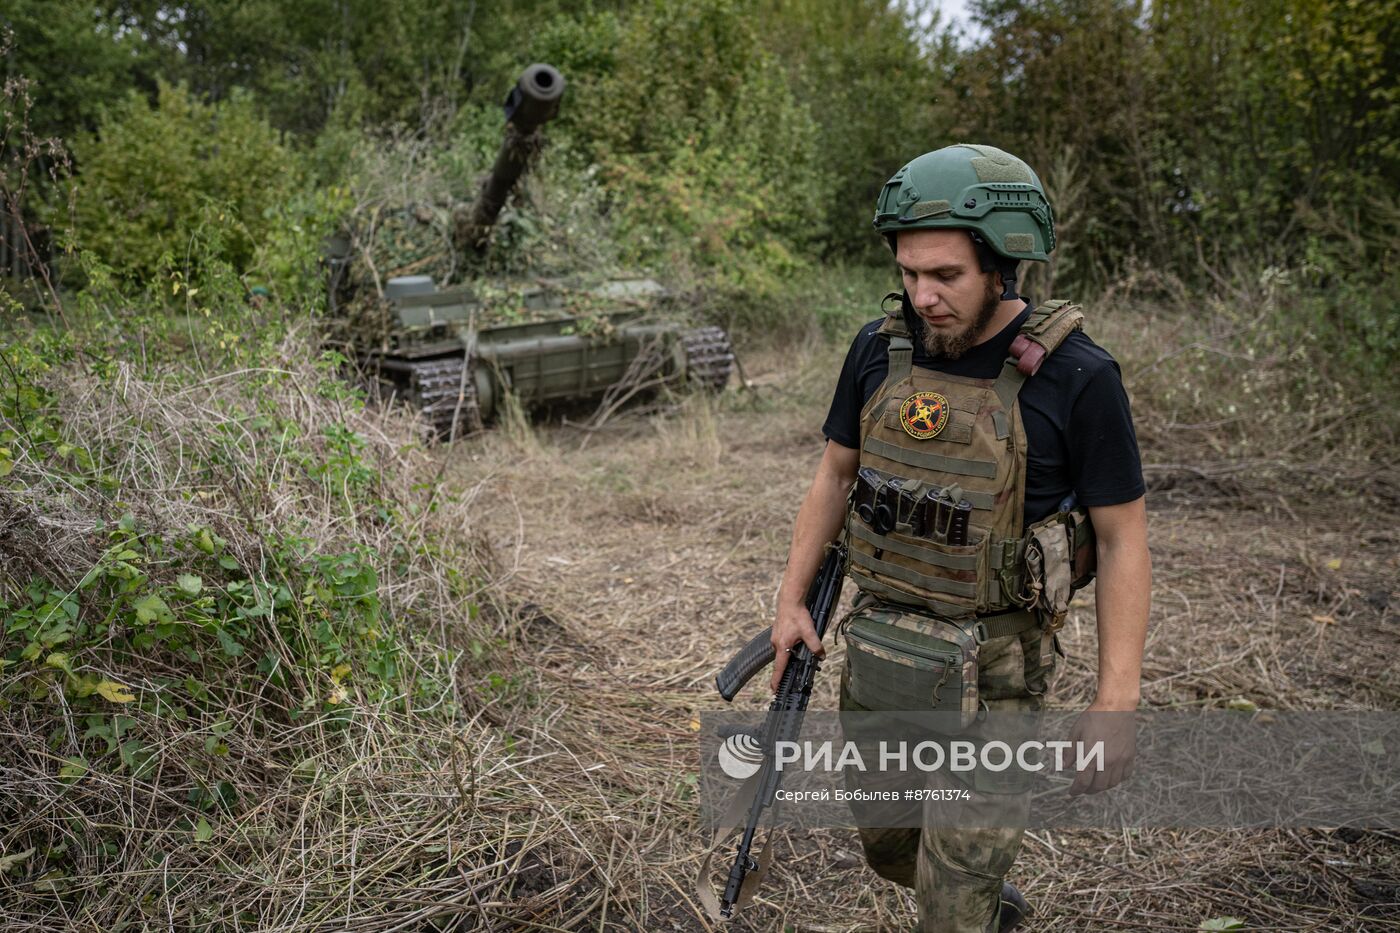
(1079, 427)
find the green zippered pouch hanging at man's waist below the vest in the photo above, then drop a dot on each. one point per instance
(905, 662)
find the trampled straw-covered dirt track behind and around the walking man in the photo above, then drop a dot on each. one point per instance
(652, 548)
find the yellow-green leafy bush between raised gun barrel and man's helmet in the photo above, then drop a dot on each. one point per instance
(713, 165)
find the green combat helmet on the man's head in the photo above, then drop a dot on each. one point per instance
(978, 188)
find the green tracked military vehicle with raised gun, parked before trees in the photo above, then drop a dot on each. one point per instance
(447, 352)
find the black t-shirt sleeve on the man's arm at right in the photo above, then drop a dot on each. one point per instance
(1104, 453)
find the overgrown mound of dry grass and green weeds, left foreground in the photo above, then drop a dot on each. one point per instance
(226, 595)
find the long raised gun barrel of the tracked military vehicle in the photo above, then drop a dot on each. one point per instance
(533, 103)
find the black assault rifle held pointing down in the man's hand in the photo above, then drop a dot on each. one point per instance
(785, 721)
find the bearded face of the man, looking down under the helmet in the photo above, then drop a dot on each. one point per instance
(950, 292)
